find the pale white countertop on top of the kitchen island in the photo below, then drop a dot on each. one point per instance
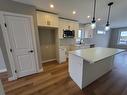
(93, 55)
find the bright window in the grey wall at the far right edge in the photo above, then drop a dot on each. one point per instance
(123, 38)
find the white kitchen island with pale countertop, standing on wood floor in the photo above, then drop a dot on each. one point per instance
(87, 65)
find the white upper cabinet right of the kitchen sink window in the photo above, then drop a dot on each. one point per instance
(88, 31)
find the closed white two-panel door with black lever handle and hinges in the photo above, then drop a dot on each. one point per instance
(19, 30)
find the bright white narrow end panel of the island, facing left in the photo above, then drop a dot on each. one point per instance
(76, 69)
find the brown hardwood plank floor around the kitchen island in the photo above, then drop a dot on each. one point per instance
(56, 81)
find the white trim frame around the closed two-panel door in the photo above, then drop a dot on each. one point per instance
(8, 46)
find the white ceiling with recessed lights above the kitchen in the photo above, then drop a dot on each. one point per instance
(84, 8)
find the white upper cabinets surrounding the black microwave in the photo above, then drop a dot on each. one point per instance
(67, 25)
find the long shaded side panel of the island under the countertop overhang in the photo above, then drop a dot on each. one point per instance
(96, 70)
